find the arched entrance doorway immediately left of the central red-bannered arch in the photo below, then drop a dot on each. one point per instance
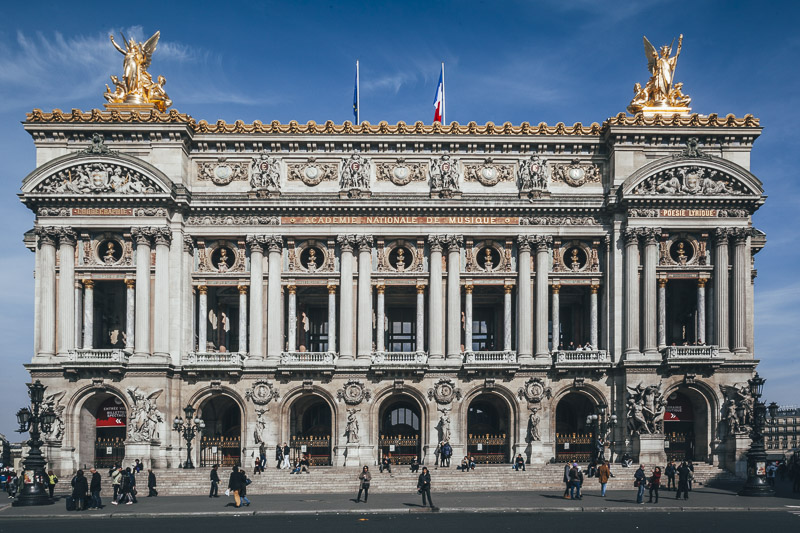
(310, 430)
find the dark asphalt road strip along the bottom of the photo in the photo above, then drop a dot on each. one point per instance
(616, 522)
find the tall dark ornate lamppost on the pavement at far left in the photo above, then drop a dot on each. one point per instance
(36, 421)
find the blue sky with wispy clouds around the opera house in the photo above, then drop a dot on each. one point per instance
(538, 61)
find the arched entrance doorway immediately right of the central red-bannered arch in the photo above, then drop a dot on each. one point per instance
(488, 429)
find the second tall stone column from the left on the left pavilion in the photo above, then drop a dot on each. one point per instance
(66, 290)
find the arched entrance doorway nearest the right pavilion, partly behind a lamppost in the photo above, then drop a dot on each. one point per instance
(574, 439)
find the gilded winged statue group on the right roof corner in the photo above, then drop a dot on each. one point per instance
(660, 95)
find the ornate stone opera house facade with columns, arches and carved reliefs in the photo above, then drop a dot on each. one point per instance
(357, 298)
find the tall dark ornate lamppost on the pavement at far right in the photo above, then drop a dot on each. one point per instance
(756, 484)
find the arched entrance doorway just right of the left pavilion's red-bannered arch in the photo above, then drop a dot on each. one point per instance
(220, 441)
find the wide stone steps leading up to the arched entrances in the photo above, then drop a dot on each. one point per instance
(323, 480)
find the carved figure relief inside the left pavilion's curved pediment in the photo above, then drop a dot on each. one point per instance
(97, 178)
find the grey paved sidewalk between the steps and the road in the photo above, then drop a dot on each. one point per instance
(700, 499)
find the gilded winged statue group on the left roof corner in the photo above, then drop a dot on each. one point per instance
(137, 88)
